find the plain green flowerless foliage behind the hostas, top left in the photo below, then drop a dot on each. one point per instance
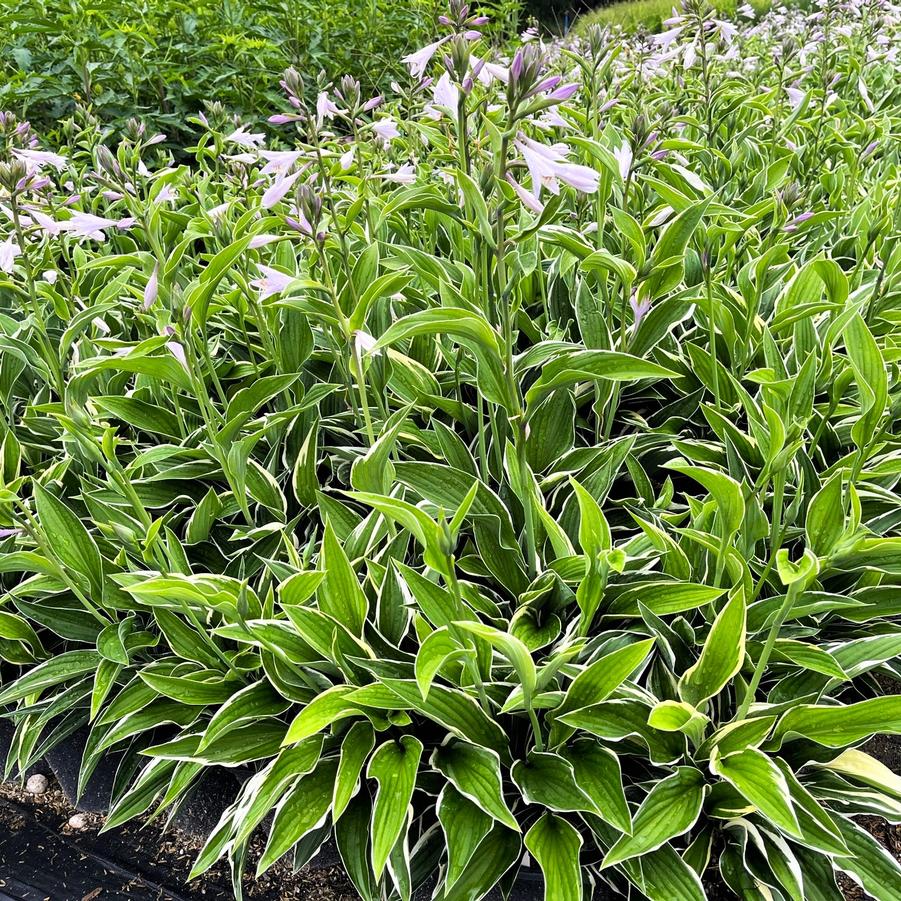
(163, 58)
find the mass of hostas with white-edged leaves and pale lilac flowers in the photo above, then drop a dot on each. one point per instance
(513, 466)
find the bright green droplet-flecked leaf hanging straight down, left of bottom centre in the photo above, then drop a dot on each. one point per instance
(394, 765)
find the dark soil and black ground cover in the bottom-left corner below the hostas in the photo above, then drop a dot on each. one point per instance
(43, 859)
